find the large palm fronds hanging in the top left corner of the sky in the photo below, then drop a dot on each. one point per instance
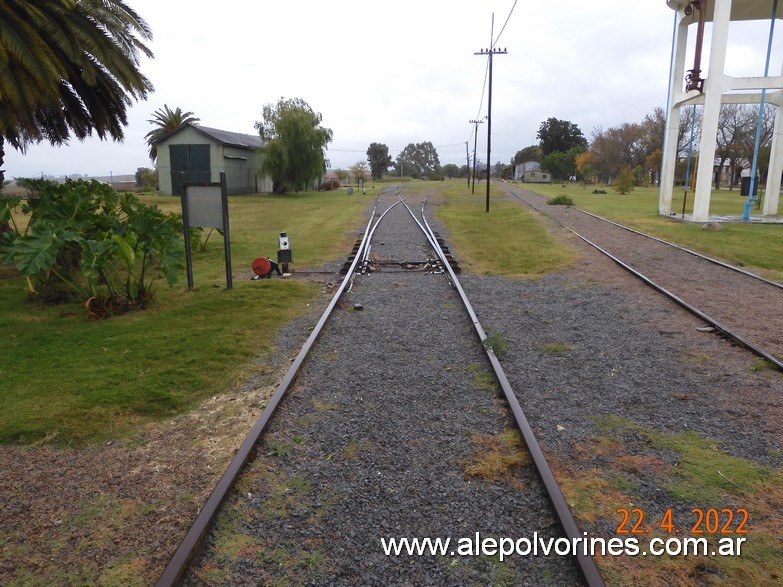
(69, 66)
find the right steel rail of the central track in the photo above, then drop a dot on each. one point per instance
(567, 521)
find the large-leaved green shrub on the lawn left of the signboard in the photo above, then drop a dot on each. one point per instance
(84, 239)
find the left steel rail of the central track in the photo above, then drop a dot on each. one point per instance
(177, 566)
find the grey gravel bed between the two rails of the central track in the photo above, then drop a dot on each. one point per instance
(375, 441)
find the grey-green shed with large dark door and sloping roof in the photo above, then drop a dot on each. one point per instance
(197, 154)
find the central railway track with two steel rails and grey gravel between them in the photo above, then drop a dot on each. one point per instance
(376, 453)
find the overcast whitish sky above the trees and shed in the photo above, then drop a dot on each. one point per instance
(399, 72)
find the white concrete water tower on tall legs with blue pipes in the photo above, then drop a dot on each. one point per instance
(714, 89)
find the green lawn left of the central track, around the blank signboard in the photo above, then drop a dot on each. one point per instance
(69, 381)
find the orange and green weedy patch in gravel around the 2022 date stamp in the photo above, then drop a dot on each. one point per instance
(618, 468)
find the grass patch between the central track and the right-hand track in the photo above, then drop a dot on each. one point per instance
(508, 240)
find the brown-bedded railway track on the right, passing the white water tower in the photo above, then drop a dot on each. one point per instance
(742, 306)
